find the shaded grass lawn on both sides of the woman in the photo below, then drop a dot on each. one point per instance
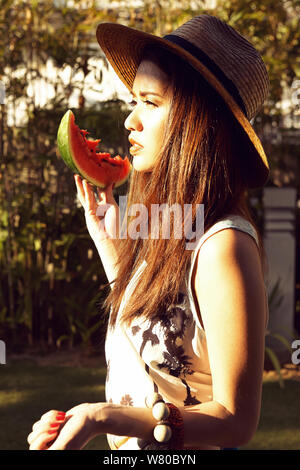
(28, 390)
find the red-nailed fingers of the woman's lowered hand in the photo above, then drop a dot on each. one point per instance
(46, 430)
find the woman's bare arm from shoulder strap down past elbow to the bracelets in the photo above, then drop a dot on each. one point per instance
(230, 291)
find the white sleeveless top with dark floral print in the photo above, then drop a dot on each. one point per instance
(168, 356)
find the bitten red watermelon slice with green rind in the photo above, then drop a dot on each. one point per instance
(80, 155)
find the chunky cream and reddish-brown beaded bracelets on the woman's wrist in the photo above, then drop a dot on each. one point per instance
(168, 432)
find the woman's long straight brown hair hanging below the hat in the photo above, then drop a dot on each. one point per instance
(199, 163)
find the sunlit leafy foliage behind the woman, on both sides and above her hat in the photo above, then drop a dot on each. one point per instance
(49, 284)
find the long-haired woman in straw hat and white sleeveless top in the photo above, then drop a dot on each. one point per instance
(185, 341)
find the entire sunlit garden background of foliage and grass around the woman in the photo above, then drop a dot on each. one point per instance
(52, 283)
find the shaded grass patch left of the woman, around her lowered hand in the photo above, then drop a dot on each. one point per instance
(27, 391)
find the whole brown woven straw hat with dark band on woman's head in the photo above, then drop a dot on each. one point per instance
(224, 58)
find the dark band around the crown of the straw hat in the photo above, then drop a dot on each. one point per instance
(210, 64)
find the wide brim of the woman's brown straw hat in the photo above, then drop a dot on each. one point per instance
(123, 47)
